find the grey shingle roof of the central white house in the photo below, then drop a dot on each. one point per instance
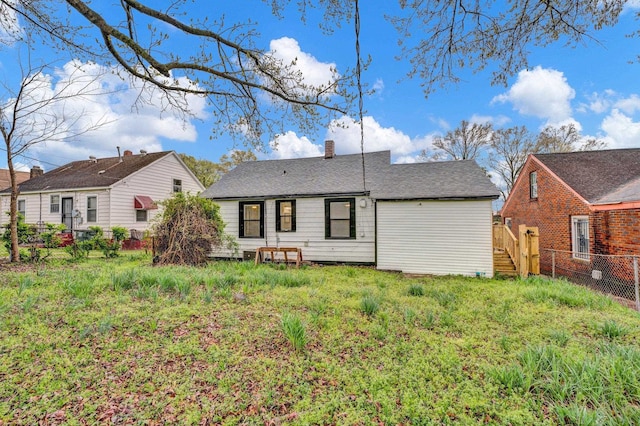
(342, 174)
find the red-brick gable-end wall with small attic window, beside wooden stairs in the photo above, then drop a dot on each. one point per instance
(551, 212)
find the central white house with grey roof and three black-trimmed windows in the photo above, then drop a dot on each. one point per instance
(429, 218)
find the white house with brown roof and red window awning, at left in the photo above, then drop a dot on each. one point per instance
(105, 192)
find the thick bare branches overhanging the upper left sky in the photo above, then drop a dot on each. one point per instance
(253, 93)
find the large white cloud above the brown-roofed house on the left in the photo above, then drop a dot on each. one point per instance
(110, 100)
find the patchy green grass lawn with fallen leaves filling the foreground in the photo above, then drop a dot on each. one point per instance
(118, 341)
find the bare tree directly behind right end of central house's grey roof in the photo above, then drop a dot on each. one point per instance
(463, 143)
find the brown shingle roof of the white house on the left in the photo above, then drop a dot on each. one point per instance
(96, 173)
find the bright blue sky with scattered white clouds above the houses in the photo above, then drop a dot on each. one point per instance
(593, 86)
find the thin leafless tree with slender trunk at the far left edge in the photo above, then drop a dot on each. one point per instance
(34, 114)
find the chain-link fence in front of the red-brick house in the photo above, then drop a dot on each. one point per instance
(613, 275)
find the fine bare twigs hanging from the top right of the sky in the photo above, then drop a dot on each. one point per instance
(441, 37)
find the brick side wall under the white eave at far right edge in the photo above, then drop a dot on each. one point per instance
(616, 231)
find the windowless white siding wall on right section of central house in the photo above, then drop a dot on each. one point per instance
(435, 237)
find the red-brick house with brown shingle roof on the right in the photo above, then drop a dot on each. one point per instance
(582, 202)
